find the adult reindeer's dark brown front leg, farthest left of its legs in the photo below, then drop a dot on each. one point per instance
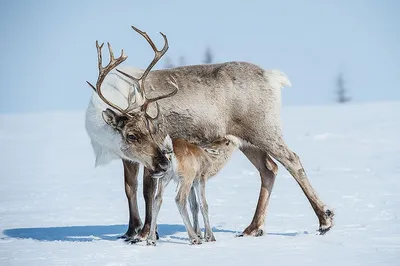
(131, 170)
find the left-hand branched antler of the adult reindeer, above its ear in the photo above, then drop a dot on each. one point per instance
(103, 71)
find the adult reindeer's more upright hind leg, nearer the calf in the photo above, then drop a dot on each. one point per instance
(268, 170)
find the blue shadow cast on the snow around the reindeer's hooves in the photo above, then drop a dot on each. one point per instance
(90, 233)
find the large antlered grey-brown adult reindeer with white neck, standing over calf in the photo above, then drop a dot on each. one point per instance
(234, 98)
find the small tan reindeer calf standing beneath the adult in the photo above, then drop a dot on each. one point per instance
(191, 166)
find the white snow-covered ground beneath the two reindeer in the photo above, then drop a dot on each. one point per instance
(56, 208)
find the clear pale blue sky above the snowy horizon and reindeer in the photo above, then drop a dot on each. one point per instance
(47, 46)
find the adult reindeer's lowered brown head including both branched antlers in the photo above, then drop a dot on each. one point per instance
(137, 128)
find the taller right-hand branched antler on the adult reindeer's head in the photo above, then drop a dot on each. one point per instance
(141, 81)
